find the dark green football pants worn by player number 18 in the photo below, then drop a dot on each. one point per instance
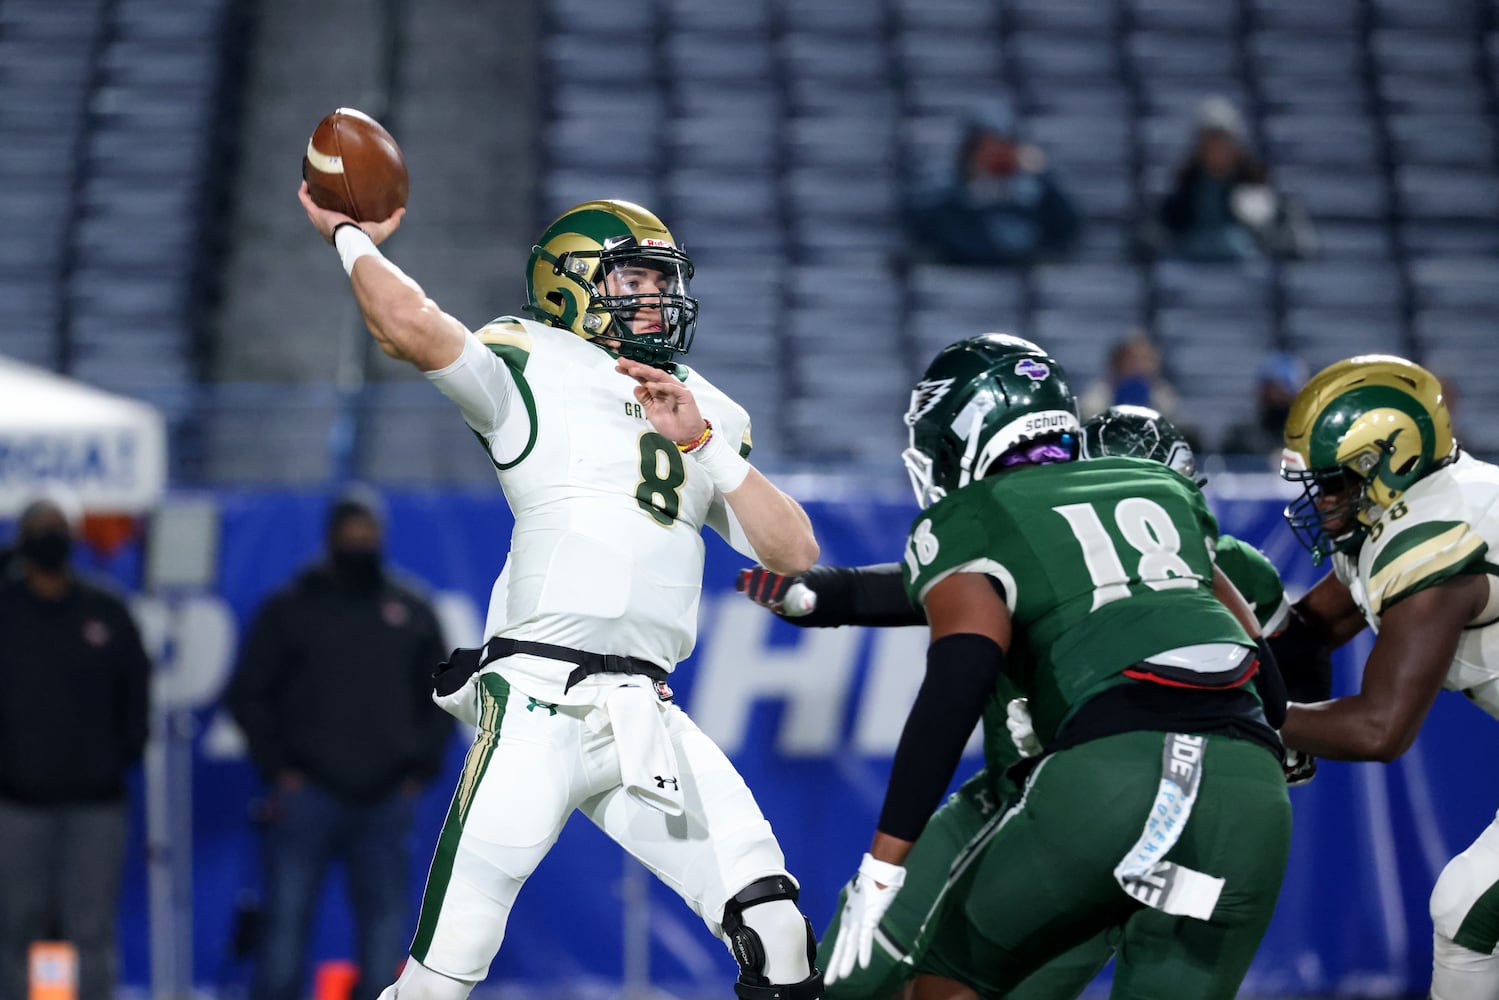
(1044, 882)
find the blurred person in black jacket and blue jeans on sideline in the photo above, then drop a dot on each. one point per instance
(334, 693)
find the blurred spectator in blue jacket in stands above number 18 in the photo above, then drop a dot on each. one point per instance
(998, 205)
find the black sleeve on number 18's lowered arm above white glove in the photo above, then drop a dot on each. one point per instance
(960, 678)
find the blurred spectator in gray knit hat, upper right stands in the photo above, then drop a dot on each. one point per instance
(1222, 206)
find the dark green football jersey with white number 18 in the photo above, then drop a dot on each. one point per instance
(1103, 564)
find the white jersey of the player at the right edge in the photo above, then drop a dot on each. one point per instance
(1444, 525)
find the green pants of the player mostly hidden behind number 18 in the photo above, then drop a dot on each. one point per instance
(908, 929)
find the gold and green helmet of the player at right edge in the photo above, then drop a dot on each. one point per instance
(1360, 434)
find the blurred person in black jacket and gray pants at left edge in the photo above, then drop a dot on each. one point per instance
(74, 695)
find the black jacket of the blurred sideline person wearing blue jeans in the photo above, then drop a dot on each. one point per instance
(337, 684)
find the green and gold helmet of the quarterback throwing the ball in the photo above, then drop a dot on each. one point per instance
(611, 272)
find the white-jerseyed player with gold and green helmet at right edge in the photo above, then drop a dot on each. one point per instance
(1408, 521)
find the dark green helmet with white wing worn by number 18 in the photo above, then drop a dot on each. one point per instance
(978, 406)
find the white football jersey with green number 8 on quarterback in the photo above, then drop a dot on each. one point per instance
(608, 549)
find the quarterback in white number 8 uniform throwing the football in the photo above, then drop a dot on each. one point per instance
(614, 457)
